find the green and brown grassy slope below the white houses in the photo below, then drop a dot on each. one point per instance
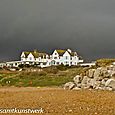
(53, 76)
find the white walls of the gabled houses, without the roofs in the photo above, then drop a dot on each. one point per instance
(66, 59)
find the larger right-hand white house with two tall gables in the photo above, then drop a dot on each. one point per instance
(65, 57)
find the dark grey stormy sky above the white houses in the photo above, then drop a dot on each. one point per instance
(87, 26)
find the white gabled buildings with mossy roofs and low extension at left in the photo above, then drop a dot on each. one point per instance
(58, 57)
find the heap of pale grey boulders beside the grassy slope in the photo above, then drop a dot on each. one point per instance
(102, 78)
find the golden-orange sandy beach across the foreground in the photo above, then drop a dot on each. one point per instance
(59, 101)
